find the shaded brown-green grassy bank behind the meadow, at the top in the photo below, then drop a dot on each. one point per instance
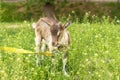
(32, 10)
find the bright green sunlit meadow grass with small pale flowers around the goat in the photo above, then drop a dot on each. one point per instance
(94, 53)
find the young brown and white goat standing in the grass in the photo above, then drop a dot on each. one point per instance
(53, 34)
